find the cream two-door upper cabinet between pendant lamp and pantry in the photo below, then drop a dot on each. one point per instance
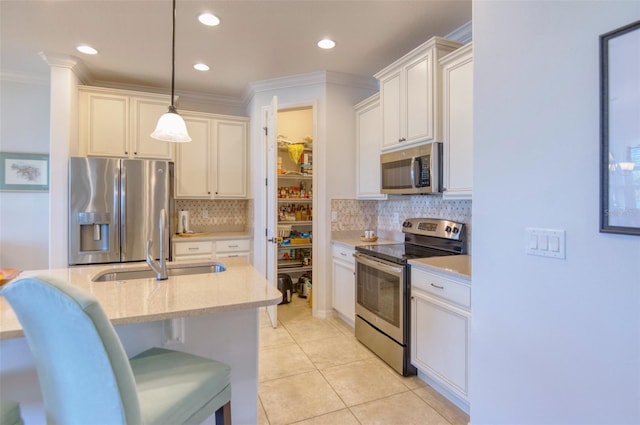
(213, 164)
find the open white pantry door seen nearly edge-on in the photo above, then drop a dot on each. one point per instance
(270, 124)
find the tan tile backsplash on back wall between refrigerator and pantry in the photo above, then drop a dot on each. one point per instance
(216, 215)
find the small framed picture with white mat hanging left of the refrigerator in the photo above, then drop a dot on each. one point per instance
(24, 171)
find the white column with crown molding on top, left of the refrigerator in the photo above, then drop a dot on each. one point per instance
(63, 142)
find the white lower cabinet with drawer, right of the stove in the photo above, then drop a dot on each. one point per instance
(440, 330)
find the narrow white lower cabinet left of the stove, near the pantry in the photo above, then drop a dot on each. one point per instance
(344, 283)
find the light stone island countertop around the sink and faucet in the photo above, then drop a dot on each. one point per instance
(241, 286)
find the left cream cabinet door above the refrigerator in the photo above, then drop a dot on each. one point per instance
(107, 125)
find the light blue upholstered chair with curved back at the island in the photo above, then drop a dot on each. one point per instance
(84, 373)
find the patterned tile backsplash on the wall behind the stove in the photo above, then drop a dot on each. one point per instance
(386, 216)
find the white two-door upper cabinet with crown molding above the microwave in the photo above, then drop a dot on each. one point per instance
(410, 95)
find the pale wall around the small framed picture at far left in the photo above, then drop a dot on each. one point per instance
(24, 216)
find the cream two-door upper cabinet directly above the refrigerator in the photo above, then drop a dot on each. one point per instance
(117, 123)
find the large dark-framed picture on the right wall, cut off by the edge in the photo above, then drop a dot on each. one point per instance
(620, 130)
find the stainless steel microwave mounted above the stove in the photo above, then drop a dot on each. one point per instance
(410, 171)
